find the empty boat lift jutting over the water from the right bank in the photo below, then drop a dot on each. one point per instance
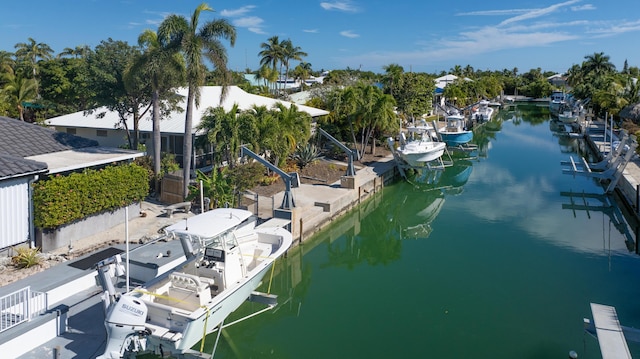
(611, 168)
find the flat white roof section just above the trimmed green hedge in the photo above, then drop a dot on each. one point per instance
(78, 158)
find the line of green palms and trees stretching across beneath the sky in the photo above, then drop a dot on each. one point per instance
(364, 106)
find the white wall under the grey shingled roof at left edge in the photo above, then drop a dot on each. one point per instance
(14, 211)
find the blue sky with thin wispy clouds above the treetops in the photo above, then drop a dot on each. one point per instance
(427, 36)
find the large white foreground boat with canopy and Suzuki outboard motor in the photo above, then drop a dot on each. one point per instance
(227, 258)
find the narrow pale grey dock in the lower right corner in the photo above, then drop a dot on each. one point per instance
(613, 344)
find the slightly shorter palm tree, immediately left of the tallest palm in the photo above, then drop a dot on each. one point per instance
(164, 69)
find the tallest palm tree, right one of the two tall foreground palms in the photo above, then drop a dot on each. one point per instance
(196, 45)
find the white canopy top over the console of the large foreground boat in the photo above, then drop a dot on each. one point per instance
(212, 223)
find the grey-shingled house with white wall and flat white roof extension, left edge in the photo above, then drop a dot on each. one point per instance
(27, 153)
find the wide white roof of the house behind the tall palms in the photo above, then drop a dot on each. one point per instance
(174, 122)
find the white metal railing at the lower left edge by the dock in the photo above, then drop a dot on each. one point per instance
(21, 306)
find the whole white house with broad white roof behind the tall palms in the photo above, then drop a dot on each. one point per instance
(107, 130)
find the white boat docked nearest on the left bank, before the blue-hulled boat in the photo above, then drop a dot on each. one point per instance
(420, 149)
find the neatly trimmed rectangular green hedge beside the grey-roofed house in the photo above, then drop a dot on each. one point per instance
(60, 200)
